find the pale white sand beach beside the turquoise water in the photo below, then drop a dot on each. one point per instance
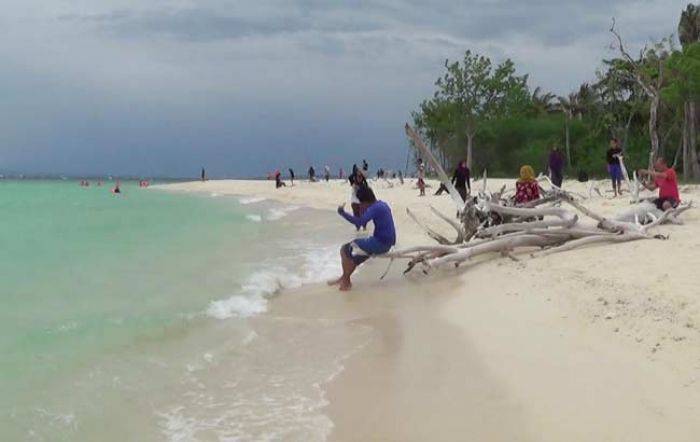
(599, 343)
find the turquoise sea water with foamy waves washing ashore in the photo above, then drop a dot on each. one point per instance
(142, 316)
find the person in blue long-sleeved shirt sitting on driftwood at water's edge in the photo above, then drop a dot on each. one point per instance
(360, 250)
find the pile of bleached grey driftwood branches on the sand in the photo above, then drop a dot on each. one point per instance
(488, 223)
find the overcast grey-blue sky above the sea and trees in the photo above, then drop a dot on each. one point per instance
(162, 87)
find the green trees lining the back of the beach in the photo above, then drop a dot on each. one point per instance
(486, 113)
